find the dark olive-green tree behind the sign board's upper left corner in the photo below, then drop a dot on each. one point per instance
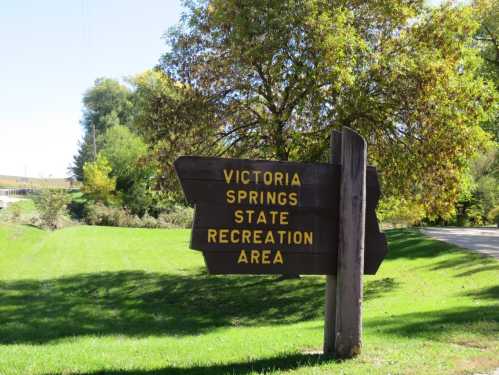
(174, 120)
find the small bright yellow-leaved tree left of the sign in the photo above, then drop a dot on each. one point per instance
(97, 182)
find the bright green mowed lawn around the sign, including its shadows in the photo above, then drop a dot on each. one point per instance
(97, 300)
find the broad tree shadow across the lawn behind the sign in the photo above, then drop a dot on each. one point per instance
(138, 303)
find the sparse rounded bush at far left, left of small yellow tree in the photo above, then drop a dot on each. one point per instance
(51, 205)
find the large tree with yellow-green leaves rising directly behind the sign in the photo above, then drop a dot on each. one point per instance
(279, 75)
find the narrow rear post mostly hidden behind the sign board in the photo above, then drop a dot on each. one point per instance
(330, 300)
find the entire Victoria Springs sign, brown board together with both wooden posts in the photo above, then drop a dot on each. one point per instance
(270, 217)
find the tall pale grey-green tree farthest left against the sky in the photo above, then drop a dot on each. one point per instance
(106, 104)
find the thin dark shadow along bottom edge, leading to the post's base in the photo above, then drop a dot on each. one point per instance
(285, 362)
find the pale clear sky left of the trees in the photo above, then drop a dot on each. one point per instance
(50, 53)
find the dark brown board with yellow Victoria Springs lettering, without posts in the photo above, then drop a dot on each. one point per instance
(269, 217)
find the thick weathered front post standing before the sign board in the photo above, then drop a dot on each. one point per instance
(348, 325)
